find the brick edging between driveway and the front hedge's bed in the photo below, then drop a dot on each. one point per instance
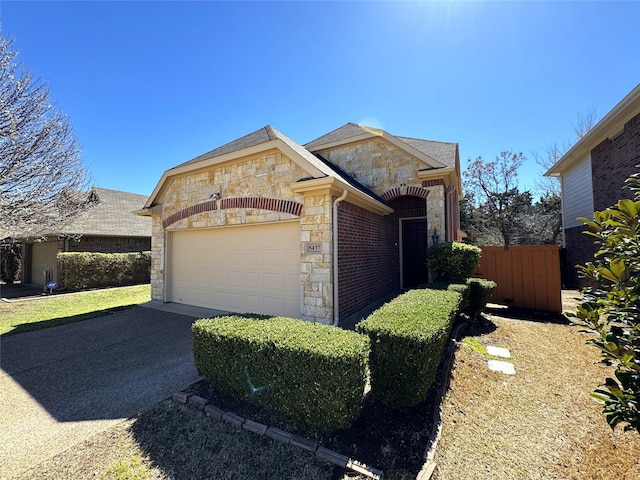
(277, 434)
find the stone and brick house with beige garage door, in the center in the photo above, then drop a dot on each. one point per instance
(316, 231)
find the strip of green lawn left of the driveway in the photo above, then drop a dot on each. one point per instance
(34, 314)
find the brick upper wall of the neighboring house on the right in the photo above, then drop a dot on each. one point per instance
(612, 162)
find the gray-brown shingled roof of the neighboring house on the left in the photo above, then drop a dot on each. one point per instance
(110, 213)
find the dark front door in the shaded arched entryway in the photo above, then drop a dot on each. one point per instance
(414, 252)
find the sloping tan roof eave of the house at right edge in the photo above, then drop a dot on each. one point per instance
(610, 125)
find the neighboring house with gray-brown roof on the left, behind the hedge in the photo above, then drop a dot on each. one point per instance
(108, 225)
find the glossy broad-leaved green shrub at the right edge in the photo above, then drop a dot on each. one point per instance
(611, 309)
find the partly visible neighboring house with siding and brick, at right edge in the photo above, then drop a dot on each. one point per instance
(592, 174)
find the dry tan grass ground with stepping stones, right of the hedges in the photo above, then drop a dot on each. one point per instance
(537, 424)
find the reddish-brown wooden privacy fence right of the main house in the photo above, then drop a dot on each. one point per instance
(528, 276)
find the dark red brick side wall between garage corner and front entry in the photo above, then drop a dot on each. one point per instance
(367, 258)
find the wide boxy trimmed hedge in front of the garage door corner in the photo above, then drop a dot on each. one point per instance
(313, 375)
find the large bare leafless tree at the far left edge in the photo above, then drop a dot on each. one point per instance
(42, 177)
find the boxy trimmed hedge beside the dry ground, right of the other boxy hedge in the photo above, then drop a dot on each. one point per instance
(408, 337)
